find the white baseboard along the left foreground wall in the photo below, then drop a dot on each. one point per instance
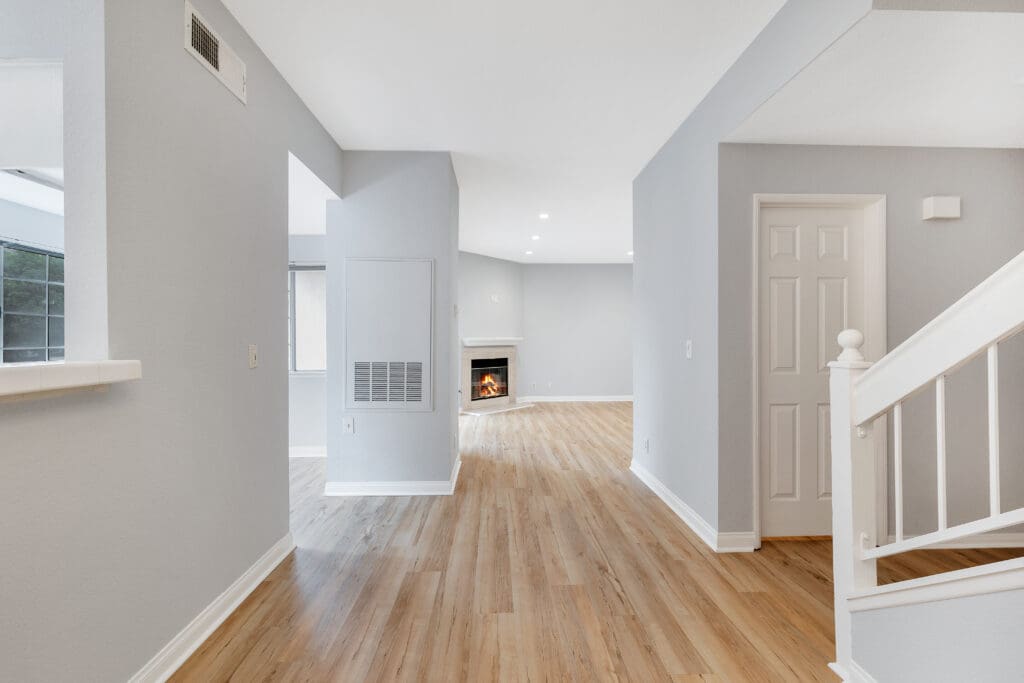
(175, 654)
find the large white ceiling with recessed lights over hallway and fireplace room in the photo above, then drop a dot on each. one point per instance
(547, 107)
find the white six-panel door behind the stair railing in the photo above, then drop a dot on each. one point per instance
(810, 289)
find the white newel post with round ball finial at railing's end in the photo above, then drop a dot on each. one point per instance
(854, 493)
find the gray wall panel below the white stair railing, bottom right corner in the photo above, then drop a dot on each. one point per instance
(975, 639)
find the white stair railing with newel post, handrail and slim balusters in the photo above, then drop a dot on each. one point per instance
(862, 393)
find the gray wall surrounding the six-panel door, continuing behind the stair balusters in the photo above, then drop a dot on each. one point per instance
(930, 266)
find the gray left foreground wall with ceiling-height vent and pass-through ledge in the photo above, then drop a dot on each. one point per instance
(123, 515)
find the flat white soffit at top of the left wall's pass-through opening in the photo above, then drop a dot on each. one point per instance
(31, 115)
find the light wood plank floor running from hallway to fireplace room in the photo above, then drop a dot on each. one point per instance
(550, 563)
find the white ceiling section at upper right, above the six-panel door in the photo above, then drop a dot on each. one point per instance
(912, 79)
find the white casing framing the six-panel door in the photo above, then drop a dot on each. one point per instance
(876, 343)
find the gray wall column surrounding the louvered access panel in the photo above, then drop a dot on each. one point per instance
(396, 205)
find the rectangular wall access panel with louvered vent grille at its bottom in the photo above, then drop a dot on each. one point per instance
(390, 334)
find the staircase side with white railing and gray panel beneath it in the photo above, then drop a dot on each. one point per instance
(969, 636)
